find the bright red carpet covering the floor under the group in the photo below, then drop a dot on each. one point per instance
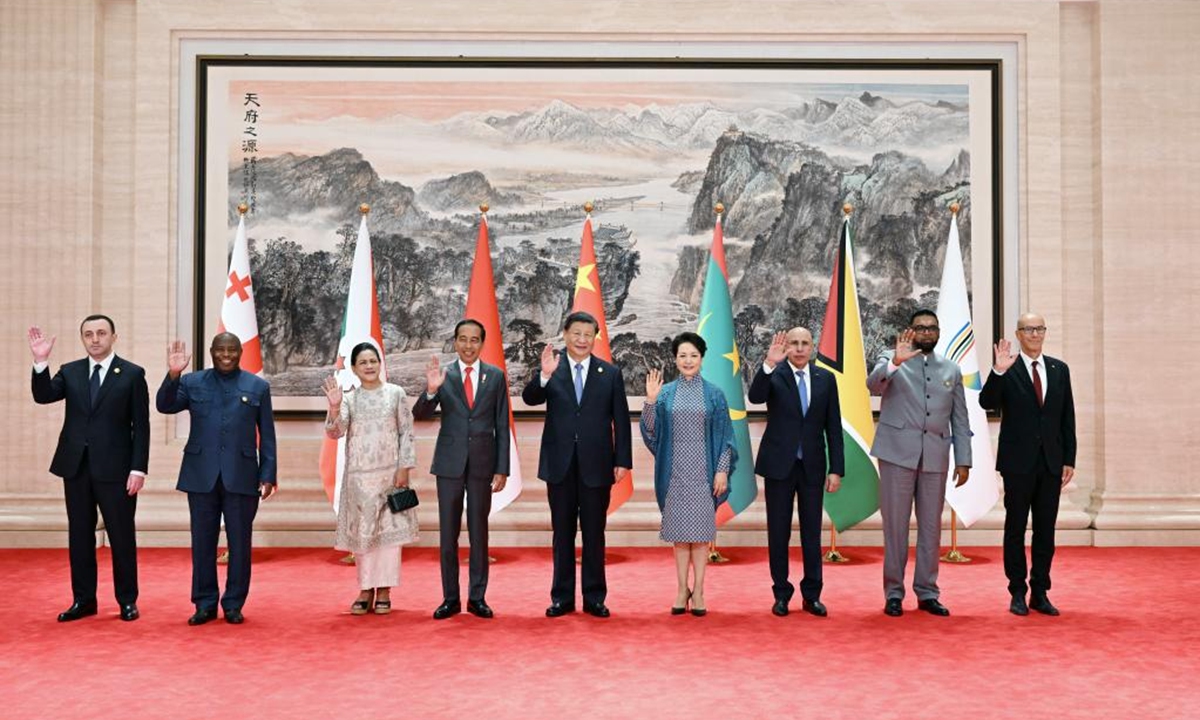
(1125, 647)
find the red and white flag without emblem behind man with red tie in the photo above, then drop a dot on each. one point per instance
(482, 307)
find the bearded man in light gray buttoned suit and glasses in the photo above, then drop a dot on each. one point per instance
(922, 413)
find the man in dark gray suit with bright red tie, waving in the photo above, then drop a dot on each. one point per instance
(471, 459)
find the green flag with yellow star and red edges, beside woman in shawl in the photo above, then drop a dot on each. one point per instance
(723, 368)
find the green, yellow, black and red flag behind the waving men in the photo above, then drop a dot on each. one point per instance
(842, 353)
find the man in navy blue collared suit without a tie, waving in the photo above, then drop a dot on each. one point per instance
(224, 473)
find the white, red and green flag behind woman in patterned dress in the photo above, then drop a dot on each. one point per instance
(361, 325)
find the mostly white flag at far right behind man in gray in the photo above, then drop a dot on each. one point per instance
(981, 493)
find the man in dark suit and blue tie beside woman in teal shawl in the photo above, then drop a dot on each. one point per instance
(586, 448)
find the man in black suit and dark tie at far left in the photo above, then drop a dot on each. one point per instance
(101, 457)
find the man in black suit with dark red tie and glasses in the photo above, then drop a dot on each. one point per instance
(1036, 454)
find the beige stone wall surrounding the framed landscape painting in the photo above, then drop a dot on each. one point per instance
(1108, 167)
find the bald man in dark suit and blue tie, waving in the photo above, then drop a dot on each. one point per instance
(803, 421)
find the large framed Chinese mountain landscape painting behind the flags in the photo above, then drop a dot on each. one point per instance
(655, 149)
